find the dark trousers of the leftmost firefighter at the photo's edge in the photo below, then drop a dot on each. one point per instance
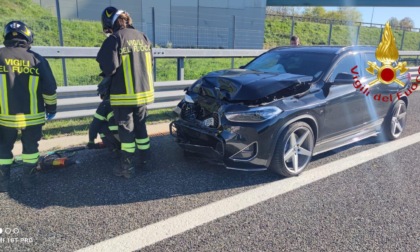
(30, 138)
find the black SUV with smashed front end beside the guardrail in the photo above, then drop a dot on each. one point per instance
(289, 104)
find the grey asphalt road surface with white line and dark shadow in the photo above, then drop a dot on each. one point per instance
(363, 197)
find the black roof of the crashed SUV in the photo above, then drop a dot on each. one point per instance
(326, 49)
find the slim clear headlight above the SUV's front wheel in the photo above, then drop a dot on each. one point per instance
(253, 115)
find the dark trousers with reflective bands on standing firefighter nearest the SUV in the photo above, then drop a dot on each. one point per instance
(132, 128)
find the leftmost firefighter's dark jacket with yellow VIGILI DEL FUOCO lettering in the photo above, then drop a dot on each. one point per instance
(27, 87)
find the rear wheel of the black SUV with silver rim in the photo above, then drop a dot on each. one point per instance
(394, 122)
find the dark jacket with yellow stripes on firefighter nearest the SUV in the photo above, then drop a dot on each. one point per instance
(126, 56)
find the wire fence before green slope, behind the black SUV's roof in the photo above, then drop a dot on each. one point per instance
(317, 31)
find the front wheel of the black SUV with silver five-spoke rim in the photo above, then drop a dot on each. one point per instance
(294, 150)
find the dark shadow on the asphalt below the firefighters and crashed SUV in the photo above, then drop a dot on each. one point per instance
(168, 174)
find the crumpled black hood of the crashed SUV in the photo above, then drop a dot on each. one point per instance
(244, 84)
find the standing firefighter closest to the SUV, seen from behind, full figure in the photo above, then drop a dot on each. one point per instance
(126, 57)
